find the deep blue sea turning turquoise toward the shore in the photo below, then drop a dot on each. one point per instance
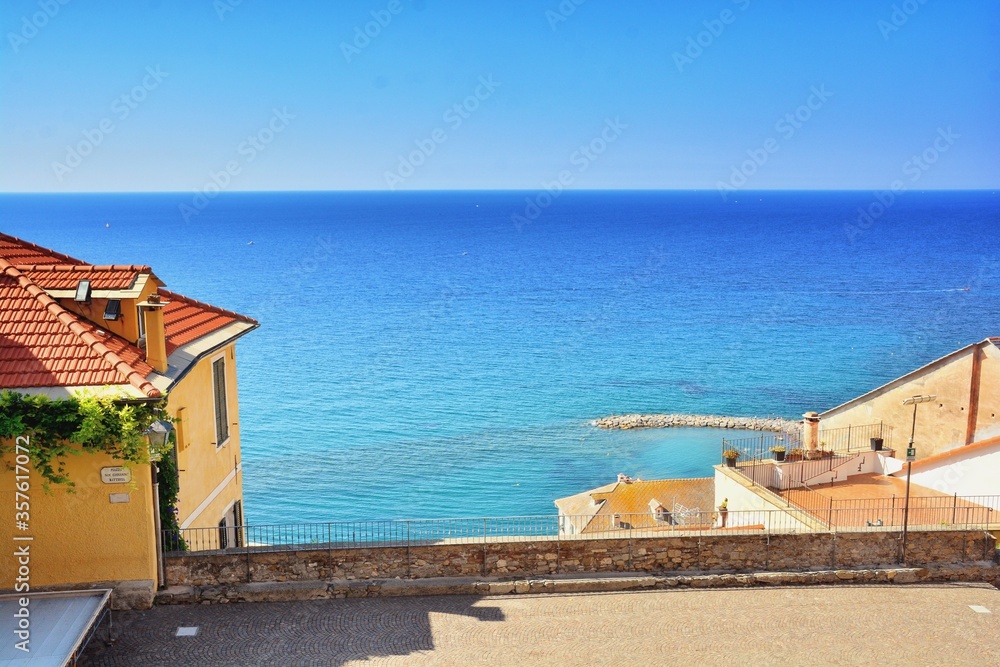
(421, 355)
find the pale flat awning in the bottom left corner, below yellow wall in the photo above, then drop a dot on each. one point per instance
(59, 622)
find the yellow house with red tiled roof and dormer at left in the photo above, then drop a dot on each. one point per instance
(68, 328)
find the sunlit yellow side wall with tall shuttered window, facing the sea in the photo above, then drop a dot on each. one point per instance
(204, 467)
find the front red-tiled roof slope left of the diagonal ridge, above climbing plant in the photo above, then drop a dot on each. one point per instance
(44, 345)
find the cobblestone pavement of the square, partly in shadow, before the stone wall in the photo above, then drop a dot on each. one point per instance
(844, 625)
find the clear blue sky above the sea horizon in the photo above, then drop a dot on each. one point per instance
(255, 95)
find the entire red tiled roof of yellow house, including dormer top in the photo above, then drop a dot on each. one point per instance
(44, 345)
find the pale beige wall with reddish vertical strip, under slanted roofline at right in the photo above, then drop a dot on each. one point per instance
(941, 425)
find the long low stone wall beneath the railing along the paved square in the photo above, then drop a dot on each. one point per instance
(541, 558)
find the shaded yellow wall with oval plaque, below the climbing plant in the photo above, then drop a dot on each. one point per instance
(81, 537)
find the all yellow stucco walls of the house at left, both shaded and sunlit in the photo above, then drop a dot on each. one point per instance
(82, 537)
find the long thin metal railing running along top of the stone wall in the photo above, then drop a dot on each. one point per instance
(854, 516)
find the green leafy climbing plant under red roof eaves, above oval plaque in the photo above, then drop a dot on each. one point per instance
(60, 428)
